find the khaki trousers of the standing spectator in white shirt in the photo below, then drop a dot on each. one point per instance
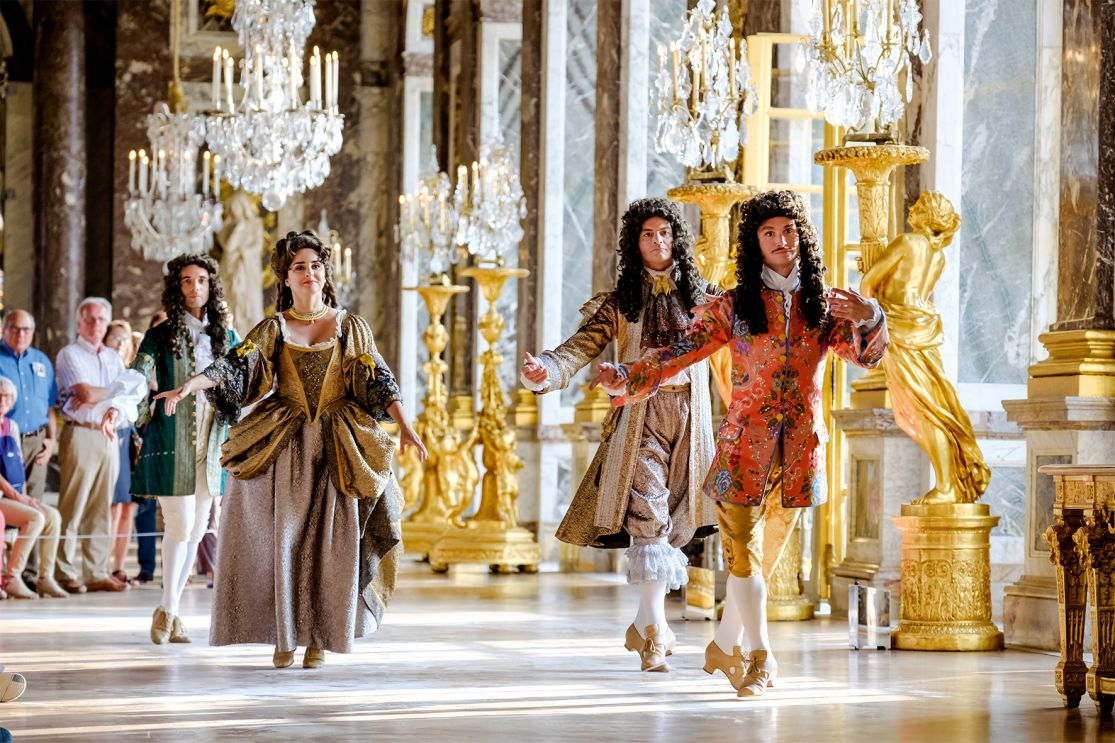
(90, 466)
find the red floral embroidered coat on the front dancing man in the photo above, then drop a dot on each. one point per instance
(777, 381)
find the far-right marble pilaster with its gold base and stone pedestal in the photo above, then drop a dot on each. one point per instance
(1070, 416)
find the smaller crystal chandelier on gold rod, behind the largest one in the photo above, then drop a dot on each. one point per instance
(170, 210)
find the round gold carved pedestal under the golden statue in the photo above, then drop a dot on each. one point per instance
(946, 596)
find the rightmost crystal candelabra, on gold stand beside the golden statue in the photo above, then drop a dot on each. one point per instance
(858, 55)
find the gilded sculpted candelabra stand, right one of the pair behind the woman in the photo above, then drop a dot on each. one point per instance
(492, 536)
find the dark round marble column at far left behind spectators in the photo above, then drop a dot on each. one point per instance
(61, 171)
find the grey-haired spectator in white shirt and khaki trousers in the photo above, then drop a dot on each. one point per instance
(98, 394)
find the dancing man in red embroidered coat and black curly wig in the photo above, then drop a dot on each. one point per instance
(780, 324)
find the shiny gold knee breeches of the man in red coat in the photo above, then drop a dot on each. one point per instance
(754, 537)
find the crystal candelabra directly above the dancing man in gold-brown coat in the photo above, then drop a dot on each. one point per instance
(704, 93)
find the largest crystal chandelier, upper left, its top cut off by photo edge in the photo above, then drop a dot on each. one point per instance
(272, 143)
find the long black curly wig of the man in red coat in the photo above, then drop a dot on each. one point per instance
(748, 296)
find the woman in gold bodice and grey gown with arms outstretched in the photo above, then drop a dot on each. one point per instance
(312, 519)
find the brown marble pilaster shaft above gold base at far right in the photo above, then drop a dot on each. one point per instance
(1080, 162)
